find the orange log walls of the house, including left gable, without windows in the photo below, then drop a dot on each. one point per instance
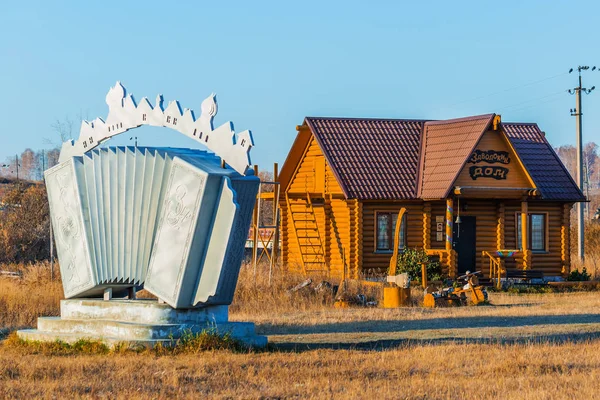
(347, 228)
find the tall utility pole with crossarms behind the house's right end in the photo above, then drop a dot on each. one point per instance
(578, 113)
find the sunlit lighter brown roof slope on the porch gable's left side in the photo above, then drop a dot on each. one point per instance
(446, 147)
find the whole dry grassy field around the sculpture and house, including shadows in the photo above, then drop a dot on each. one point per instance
(532, 346)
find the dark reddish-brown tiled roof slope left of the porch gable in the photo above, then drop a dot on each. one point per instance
(373, 159)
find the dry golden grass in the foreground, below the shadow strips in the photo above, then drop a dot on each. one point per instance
(540, 371)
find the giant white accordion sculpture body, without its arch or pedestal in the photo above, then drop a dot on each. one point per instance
(171, 220)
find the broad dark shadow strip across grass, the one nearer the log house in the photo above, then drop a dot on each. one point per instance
(383, 326)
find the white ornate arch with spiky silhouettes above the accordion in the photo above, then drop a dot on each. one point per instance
(125, 114)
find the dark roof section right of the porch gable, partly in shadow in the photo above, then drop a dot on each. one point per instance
(542, 163)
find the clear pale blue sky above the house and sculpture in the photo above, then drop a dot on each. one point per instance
(273, 63)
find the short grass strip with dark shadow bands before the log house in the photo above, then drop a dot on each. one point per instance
(510, 319)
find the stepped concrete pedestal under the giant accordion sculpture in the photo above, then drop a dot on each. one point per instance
(137, 322)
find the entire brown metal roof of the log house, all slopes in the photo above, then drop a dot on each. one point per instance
(380, 159)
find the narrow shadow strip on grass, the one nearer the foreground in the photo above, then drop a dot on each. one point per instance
(379, 345)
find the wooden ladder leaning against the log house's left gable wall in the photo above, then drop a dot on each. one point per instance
(308, 238)
